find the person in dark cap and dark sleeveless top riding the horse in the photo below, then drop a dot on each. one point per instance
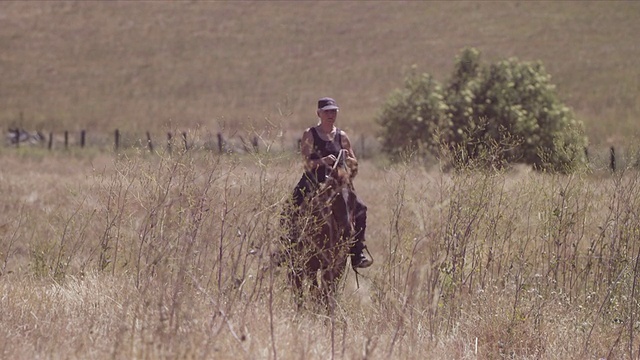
(320, 147)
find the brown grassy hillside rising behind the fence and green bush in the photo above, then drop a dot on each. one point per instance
(147, 65)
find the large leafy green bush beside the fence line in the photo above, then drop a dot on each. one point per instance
(508, 111)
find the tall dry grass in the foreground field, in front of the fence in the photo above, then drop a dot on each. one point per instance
(164, 256)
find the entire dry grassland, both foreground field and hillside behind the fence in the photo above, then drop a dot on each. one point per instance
(140, 255)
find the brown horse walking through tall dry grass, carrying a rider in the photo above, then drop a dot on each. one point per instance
(326, 224)
